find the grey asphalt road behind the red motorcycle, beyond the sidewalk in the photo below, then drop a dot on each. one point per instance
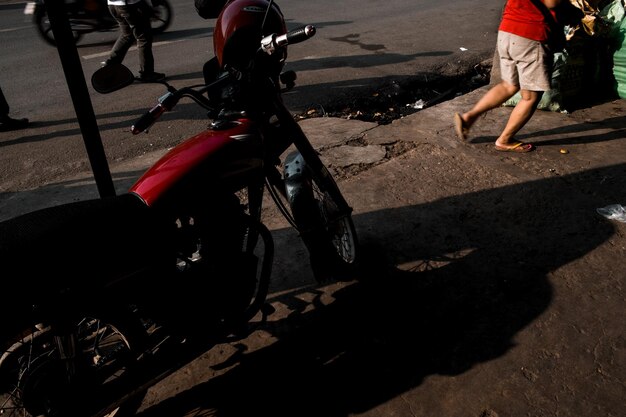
(360, 48)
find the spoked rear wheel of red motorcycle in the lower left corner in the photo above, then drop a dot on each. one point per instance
(32, 380)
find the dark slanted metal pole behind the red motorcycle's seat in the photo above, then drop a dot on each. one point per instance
(80, 96)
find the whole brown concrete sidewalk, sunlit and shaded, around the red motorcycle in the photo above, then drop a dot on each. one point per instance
(494, 287)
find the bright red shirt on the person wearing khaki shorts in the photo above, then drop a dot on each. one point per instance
(524, 18)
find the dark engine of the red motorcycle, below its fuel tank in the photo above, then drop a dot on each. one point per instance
(217, 273)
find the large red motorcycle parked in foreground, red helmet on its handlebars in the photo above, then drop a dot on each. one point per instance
(109, 296)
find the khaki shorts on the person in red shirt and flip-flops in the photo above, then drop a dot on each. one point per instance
(524, 62)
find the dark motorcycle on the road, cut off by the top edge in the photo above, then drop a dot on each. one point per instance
(88, 16)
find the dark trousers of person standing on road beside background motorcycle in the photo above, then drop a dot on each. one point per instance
(134, 21)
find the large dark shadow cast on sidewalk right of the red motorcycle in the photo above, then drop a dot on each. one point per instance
(446, 286)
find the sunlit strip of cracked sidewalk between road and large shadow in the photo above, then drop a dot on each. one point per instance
(593, 138)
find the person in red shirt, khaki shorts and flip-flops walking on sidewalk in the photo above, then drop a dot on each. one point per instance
(524, 35)
